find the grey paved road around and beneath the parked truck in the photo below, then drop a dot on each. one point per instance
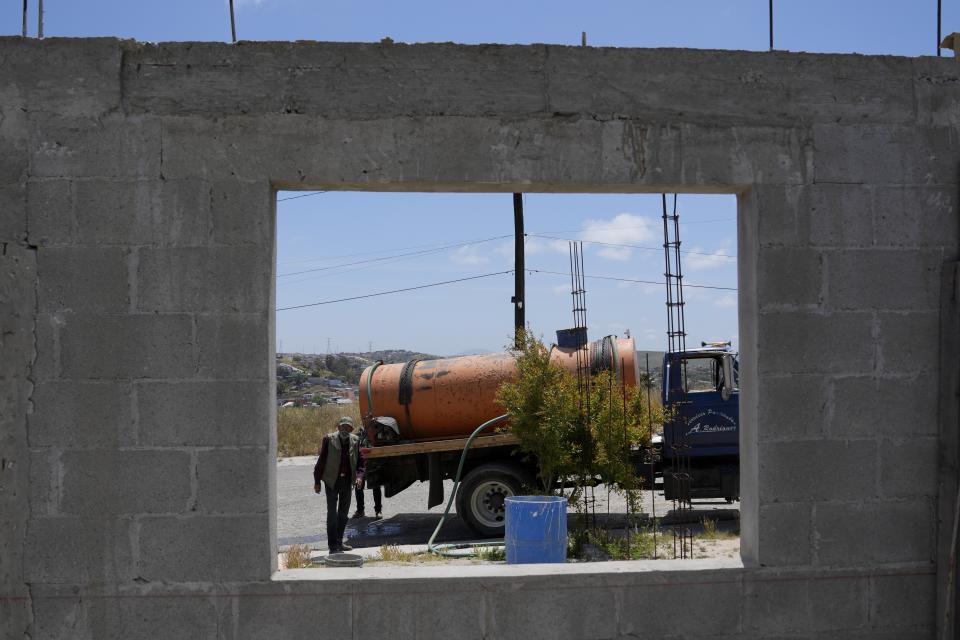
(301, 513)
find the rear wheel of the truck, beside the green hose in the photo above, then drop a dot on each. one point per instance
(480, 497)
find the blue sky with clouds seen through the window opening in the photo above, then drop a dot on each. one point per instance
(387, 241)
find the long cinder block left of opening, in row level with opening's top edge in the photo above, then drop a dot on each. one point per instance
(143, 212)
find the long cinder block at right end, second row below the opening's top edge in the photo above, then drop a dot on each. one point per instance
(883, 279)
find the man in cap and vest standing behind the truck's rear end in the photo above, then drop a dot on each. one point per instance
(340, 467)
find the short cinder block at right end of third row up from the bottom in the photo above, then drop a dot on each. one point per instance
(909, 469)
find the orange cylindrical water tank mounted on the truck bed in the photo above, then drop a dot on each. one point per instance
(450, 397)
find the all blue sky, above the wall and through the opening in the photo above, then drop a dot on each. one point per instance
(452, 236)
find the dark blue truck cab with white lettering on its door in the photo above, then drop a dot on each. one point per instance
(700, 453)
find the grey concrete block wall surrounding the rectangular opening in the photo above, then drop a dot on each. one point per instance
(137, 232)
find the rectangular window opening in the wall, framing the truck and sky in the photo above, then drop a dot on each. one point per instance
(413, 279)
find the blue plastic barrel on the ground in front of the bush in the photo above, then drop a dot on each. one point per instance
(536, 529)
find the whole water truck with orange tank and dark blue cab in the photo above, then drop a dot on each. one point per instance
(418, 415)
